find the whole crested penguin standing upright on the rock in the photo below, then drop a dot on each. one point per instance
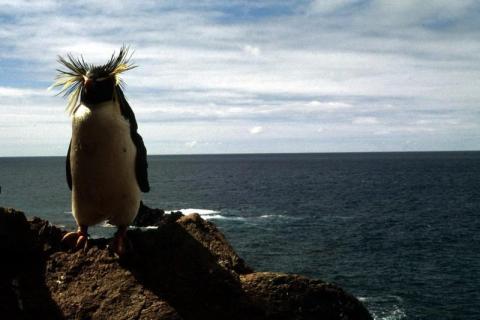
(106, 163)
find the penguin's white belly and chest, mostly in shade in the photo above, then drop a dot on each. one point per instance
(102, 160)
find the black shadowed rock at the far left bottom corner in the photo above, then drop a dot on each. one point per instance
(23, 290)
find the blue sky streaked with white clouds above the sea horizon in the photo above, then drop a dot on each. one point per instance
(253, 76)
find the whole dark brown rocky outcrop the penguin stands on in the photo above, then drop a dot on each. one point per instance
(185, 269)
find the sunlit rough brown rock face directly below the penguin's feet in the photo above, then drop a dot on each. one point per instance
(93, 285)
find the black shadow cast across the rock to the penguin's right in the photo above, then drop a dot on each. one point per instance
(182, 270)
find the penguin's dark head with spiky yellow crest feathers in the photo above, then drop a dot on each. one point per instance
(91, 84)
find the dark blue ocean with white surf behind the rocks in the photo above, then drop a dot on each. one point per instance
(400, 231)
